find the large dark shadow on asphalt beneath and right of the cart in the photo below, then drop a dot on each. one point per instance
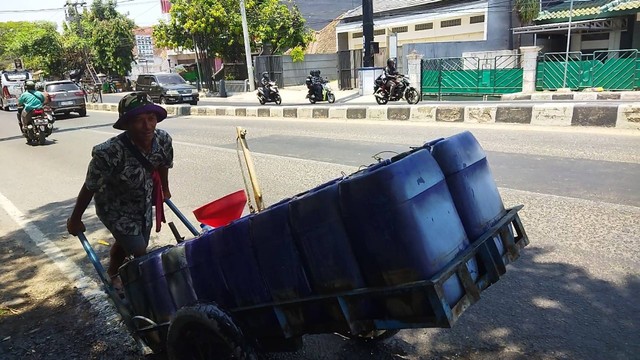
(540, 309)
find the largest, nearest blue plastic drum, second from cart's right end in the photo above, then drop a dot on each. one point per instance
(403, 223)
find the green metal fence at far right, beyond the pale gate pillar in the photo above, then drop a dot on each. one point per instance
(610, 70)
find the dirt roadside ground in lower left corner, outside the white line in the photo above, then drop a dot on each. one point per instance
(42, 316)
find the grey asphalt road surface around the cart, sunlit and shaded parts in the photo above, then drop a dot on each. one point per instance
(572, 295)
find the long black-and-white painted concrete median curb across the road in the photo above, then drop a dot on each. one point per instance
(625, 116)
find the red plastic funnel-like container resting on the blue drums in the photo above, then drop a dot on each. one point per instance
(222, 211)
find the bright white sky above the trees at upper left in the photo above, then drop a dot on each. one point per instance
(142, 12)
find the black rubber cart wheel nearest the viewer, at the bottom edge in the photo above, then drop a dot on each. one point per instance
(204, 331)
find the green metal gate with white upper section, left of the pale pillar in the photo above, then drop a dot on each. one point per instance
(472, 76)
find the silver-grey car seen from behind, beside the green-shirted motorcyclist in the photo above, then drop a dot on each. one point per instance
(66, 97)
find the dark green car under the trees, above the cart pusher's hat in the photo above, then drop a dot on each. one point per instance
(167, 88)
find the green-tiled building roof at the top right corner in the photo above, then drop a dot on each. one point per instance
(589, 9)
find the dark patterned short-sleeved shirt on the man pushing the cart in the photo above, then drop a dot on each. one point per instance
(122, 186)
